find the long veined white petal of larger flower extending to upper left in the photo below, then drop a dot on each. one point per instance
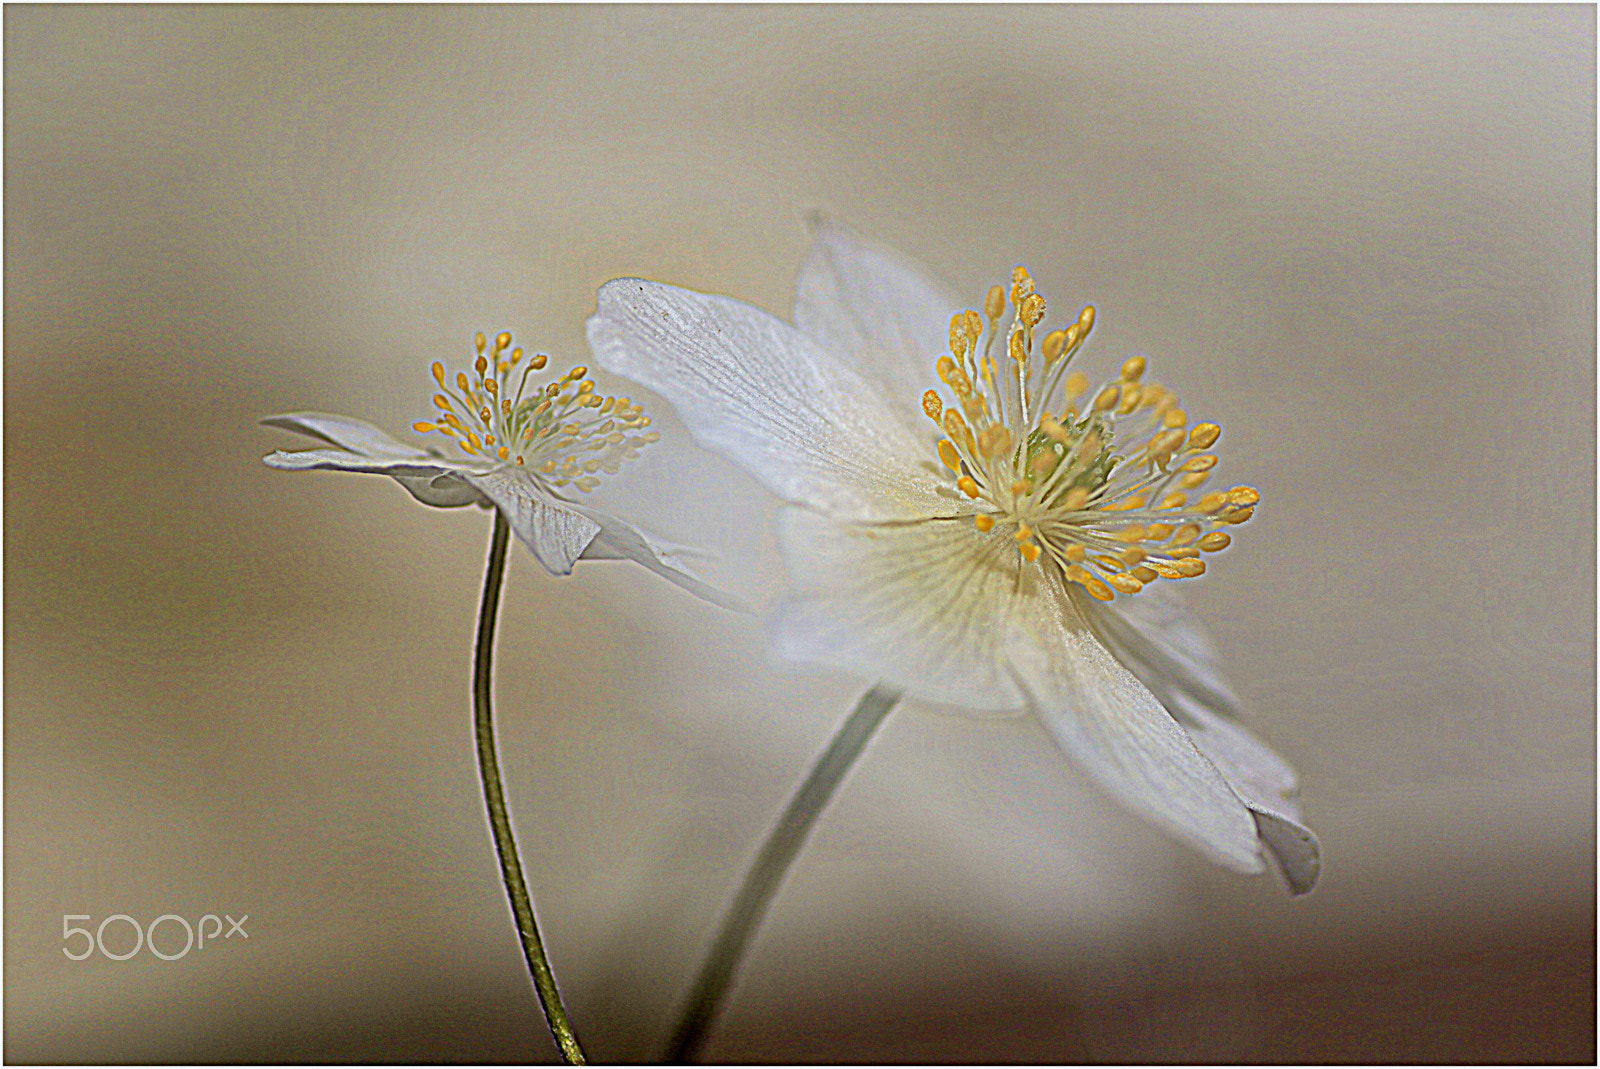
(756, 390)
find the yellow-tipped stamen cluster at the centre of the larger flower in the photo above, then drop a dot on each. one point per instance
(1100, 487)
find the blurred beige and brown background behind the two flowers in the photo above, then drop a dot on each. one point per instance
(1361, 239)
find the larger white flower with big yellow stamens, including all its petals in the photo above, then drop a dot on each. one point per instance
(996, 559)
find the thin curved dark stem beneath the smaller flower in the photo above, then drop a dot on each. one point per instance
(500, 817)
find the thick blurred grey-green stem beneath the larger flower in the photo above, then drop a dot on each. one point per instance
(767, 871)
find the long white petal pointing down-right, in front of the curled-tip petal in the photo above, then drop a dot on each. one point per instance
(1116, 731)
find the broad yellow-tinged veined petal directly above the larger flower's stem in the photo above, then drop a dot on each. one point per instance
(913, 604)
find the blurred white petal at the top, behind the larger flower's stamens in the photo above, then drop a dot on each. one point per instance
(876, 308)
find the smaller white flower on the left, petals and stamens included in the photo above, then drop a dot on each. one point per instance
(521, 447)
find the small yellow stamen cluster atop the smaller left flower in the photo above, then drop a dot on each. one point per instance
(566, 430)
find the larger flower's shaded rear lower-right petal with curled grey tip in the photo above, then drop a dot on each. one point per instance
(1174, 657)
